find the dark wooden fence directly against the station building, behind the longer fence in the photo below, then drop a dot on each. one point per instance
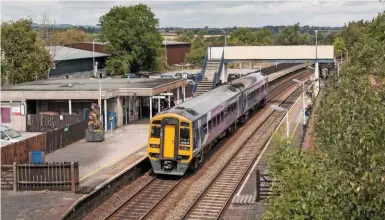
(44, 123)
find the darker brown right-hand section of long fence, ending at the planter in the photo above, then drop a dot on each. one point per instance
(62, 137)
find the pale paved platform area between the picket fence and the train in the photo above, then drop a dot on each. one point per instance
(94, 156)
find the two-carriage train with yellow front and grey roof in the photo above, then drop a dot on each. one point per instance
(179, 137)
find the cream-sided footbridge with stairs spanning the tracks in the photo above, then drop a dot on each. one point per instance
(214, 70)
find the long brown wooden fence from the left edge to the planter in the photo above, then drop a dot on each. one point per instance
(48, 142)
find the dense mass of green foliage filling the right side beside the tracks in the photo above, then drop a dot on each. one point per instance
(343, 176)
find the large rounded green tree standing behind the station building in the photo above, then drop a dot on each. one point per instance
(134, 41)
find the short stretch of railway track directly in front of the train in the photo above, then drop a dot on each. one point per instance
(141, 204)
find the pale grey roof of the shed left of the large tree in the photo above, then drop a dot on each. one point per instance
(69, 53)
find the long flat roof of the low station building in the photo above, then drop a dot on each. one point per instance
(58, 89)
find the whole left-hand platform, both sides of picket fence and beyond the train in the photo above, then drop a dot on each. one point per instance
(98, 163)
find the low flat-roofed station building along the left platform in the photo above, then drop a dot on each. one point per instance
(127, 100)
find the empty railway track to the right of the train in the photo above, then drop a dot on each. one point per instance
(212, 201)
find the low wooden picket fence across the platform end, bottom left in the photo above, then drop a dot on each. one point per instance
(49, 176)
